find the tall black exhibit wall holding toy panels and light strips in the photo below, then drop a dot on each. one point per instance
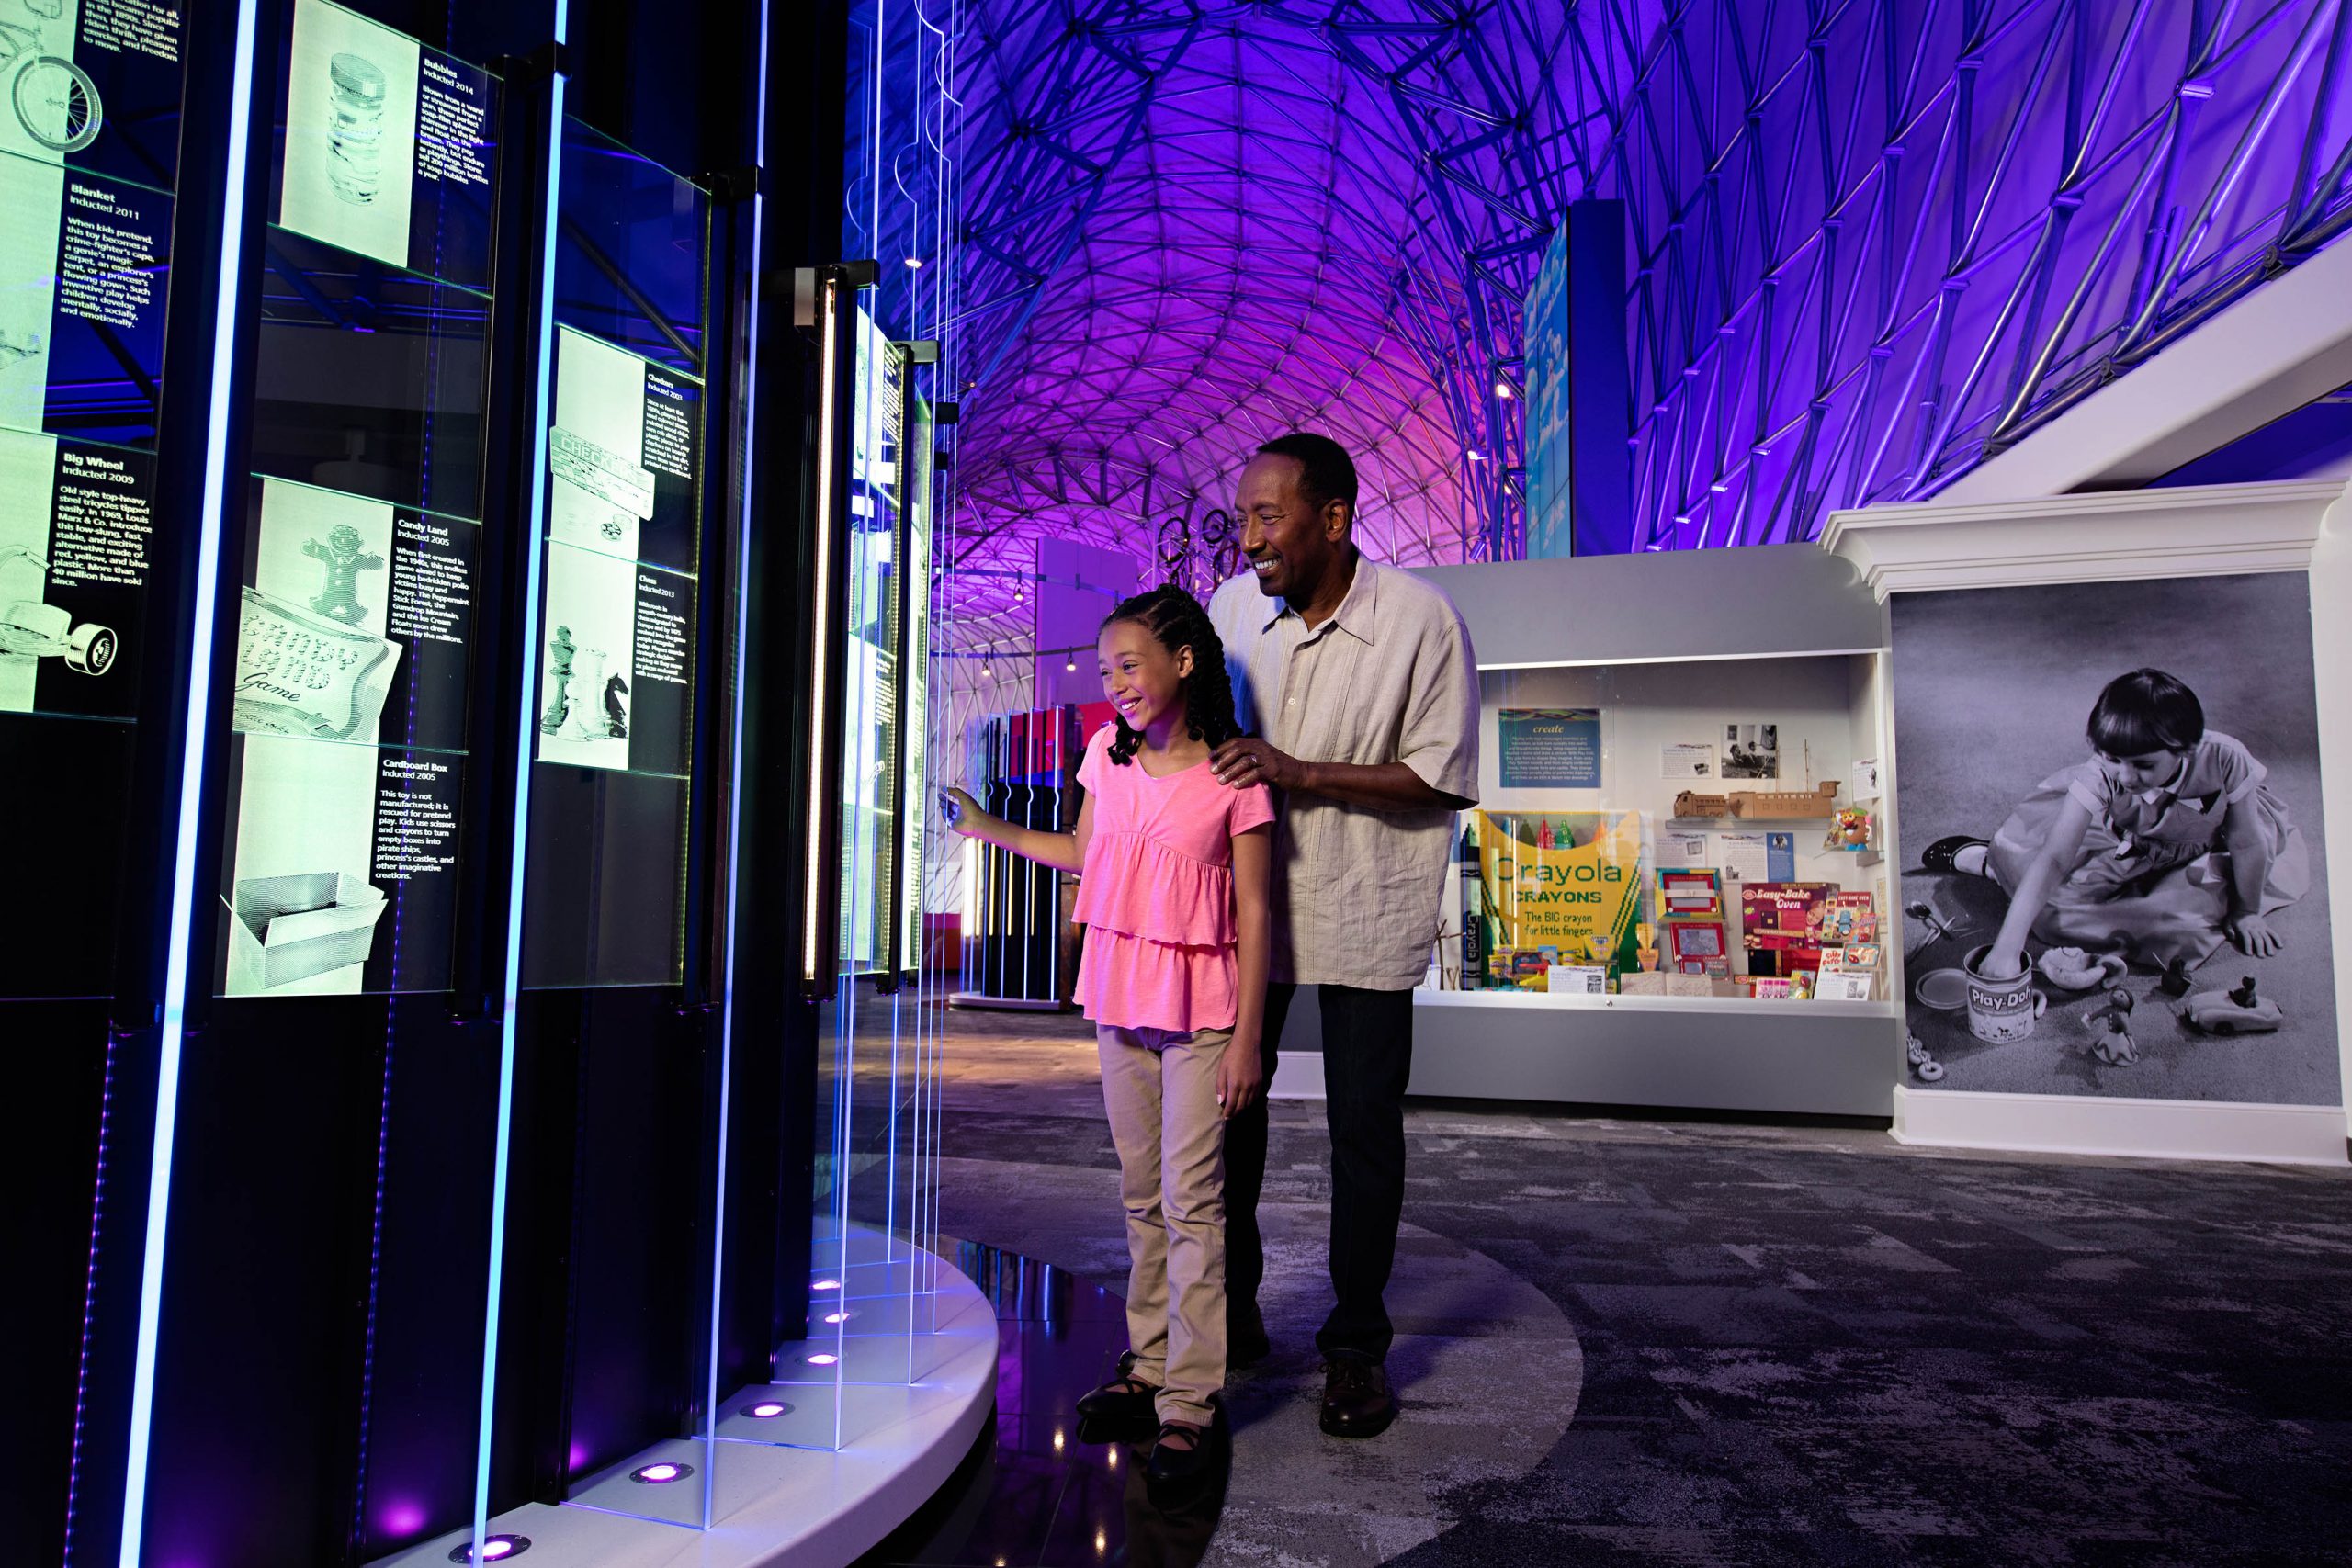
(415, 699)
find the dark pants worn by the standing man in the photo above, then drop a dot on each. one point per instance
(1368, 1059)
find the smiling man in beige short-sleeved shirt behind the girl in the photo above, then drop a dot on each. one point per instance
(1361, 692)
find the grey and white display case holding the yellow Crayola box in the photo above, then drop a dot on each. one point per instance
(1655, 657)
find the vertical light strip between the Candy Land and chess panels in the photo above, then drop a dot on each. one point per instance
(526, 744)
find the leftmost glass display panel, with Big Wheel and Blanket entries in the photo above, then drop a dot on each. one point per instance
(88, 161)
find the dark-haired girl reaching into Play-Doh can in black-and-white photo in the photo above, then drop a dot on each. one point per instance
(2160, 847)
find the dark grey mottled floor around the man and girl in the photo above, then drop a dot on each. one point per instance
(1704, 1343)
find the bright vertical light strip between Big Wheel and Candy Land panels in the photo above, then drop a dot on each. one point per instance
(192, 779)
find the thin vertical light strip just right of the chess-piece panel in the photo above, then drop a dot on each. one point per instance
(735, 765)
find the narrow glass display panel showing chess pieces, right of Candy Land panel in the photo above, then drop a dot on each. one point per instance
(615, 669)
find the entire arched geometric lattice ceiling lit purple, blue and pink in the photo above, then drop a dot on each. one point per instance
(1871, 243)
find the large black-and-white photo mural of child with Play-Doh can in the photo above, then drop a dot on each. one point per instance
(2109, 798)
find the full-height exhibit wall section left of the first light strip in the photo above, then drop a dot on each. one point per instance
(100, 288)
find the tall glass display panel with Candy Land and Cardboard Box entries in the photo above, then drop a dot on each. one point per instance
(363, 525)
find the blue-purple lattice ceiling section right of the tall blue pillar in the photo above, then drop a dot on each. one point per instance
(1880, 243)
